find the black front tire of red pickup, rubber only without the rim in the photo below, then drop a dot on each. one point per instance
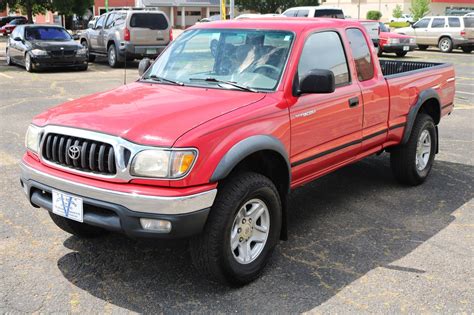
(211, 252)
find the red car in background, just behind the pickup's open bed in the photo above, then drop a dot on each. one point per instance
(394, 43)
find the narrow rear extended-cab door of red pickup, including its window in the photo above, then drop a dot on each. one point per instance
(374, 90)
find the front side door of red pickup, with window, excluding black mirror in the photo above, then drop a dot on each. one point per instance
(325, 128)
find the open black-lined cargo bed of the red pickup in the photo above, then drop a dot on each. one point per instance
(396, 68)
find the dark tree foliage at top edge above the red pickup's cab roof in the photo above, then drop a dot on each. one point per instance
(272, 6)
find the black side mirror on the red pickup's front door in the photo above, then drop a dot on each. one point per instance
(317, 81)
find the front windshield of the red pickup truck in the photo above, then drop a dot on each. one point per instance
(245, 59)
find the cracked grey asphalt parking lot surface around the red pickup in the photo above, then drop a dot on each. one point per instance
(359, 242)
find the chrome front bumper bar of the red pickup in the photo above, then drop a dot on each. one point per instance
(134, 202)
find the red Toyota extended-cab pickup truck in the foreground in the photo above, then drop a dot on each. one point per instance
(209, 142)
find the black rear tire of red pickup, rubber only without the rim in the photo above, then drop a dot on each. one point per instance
(403, 157)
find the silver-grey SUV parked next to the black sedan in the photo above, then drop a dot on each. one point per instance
(127, 35)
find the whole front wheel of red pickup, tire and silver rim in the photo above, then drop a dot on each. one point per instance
(241, 232)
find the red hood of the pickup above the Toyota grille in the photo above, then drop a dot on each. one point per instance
(144, 113)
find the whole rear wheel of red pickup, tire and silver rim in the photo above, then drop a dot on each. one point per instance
(411, 163)
